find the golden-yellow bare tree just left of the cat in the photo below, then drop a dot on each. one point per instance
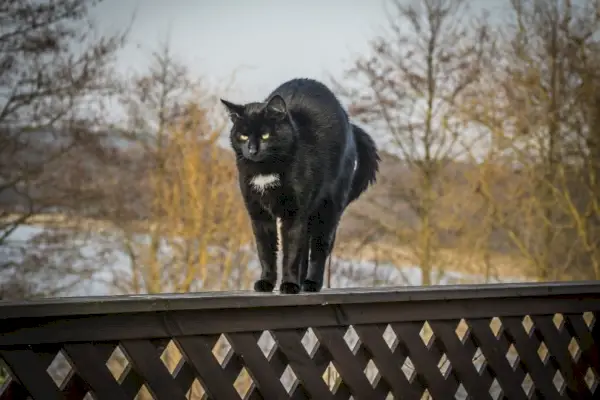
(187, 230)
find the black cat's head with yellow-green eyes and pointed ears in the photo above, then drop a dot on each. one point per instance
(261, 132)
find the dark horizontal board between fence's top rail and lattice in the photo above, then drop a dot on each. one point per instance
(188, 323)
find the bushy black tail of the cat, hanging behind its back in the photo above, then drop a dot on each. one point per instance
(368, 163)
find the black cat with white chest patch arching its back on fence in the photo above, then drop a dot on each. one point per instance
(301, 161)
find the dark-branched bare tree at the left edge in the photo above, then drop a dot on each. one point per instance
(54, 73)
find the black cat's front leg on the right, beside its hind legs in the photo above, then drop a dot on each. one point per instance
(294, 234)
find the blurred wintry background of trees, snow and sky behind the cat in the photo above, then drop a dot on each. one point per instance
(116, 175)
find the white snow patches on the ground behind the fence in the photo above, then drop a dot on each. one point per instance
(346, 273)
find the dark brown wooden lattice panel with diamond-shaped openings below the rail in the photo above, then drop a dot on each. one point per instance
(538, 356)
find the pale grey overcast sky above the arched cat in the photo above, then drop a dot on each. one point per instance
(271, 40)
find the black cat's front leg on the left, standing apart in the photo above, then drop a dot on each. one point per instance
(265, 233)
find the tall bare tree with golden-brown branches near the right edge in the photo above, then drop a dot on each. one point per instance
(538, 114)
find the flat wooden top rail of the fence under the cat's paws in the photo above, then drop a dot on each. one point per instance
(69, 306)
